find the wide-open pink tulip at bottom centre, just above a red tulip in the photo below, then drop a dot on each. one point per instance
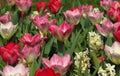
(59, 64)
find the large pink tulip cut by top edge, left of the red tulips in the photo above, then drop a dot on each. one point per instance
(23, 5)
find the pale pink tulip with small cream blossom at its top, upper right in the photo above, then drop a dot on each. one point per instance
(95, 16)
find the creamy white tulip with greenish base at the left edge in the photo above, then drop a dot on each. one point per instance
(7, 30)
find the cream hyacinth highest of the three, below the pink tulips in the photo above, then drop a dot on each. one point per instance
(95, 41)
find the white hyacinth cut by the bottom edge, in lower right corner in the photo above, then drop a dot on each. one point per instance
(108, 71)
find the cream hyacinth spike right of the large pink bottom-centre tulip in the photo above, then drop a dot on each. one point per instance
(82, 57)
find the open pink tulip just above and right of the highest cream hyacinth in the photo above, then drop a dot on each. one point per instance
(106, 28)
